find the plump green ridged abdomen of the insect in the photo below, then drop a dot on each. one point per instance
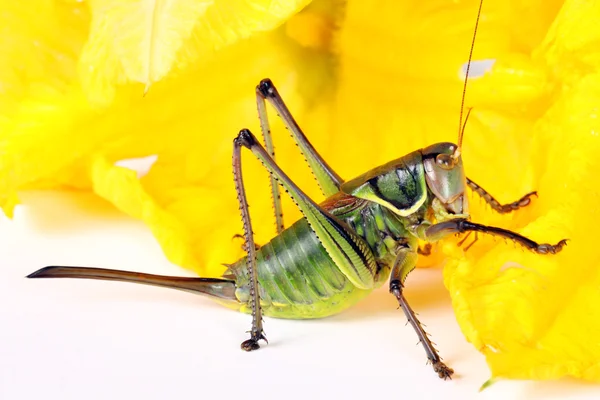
(297, 278)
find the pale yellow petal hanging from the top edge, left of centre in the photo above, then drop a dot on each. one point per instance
(142, 40)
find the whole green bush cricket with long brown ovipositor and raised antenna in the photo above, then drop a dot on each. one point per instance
(366, 231)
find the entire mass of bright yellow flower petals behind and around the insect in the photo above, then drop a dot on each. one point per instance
(369, 83)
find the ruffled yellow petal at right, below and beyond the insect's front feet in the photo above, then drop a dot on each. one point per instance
(534, 317)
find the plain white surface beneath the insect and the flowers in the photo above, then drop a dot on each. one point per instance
(82, 339)
